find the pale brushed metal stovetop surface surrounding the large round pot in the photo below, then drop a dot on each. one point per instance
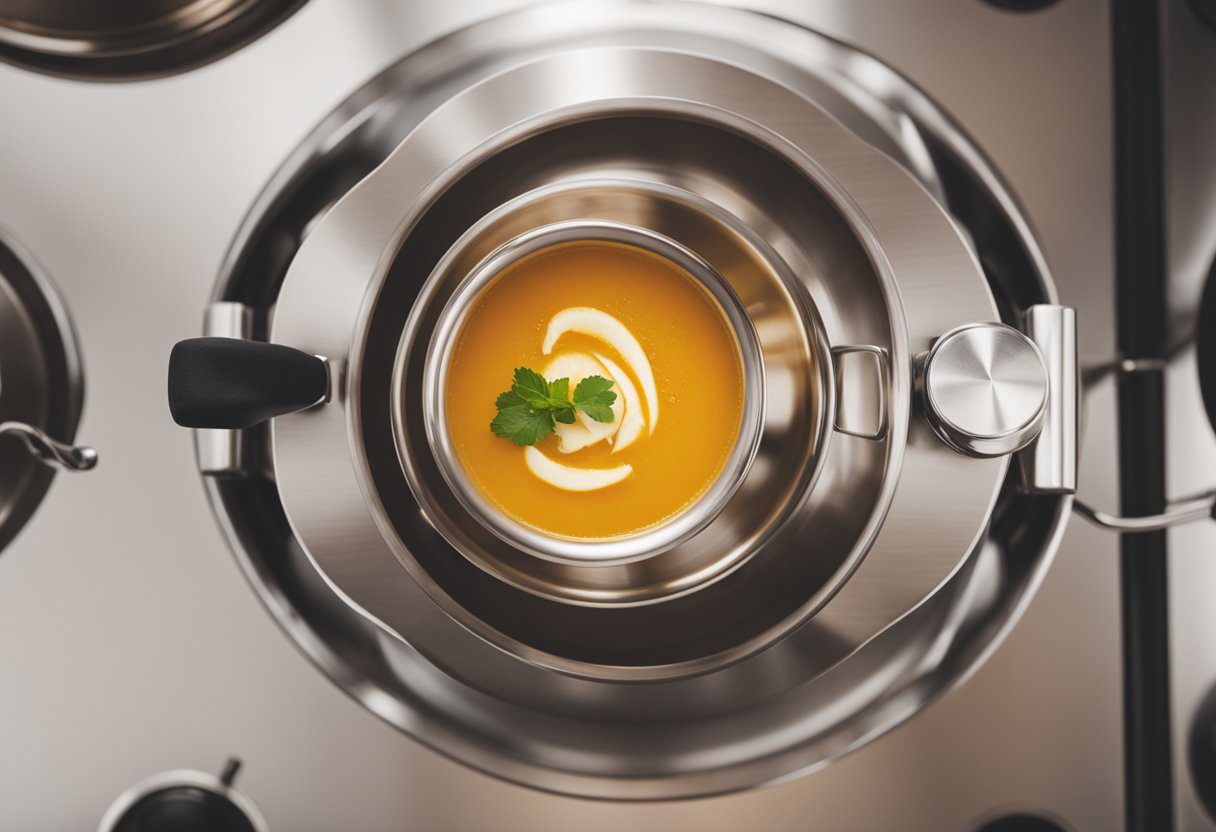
(1037, 728)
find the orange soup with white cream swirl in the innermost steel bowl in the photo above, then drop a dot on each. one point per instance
(584, 310)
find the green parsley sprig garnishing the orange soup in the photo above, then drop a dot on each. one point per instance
(531, 409)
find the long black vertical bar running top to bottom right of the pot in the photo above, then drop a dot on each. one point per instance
(1141, 269)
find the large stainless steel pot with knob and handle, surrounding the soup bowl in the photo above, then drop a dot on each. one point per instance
(846, 576)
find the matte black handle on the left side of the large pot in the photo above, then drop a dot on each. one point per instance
(234, 384)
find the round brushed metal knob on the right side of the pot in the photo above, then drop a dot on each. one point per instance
(986, 390)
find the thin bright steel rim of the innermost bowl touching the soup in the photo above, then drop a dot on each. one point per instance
(618, 550)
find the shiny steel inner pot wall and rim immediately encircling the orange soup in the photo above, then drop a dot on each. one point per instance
(672, 560)
